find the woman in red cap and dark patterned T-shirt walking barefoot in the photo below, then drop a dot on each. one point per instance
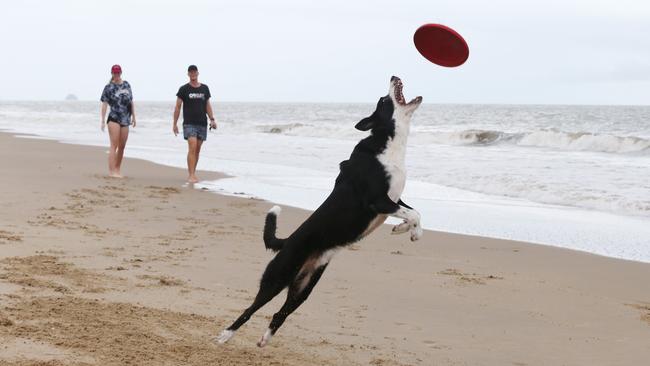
(117, 94)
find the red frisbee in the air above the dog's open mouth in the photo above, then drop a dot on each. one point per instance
(441, 45)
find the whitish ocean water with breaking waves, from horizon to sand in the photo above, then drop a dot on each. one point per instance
(571, 176)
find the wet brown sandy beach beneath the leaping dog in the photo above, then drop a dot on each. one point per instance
(146, 271)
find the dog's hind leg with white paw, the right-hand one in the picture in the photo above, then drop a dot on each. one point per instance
(298, 292)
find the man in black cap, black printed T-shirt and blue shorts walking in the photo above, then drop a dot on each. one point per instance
(195, 99)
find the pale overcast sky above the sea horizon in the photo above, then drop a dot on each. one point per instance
(521, 52)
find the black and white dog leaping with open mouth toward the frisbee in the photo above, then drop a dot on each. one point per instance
(367, 191)
